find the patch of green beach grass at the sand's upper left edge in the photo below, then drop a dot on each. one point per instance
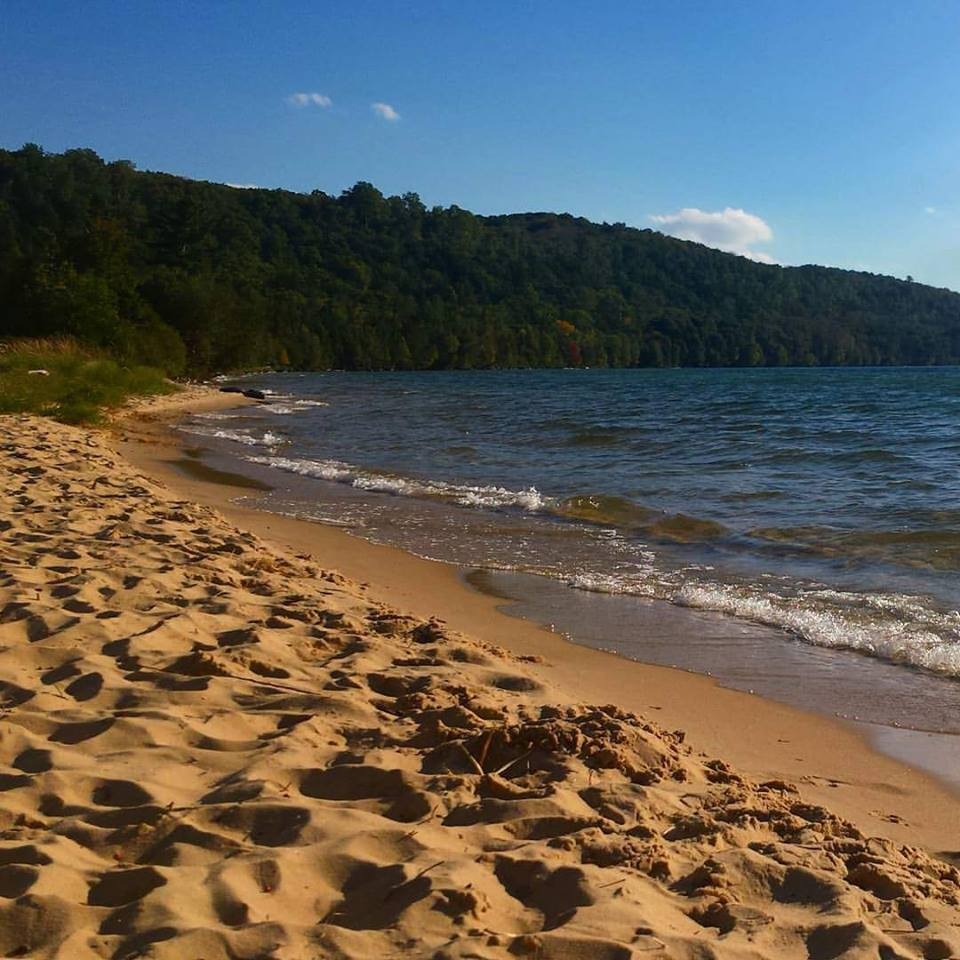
(57, 377)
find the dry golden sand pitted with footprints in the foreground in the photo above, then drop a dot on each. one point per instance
(211, 749)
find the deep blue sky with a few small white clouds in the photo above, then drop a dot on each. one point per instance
(808, 132)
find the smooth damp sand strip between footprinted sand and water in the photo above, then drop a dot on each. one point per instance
(834, 761)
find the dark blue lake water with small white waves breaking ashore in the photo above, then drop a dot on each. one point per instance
(802, 526)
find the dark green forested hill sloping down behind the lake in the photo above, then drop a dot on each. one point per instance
(201, 277)
